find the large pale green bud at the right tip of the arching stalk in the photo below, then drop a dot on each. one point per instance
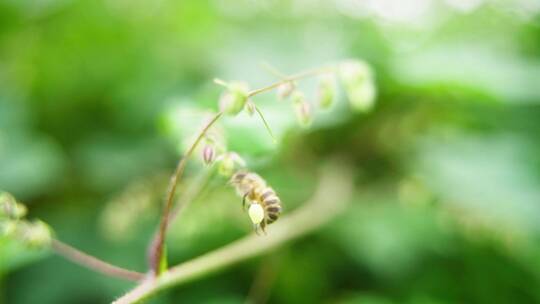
(359, 85)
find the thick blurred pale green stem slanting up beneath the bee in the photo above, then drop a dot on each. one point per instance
(333, 193)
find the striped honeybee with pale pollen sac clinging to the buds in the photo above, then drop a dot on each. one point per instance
(264, 205)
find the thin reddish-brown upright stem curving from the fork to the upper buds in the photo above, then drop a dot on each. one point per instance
(156, 248)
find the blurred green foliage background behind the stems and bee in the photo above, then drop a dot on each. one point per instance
(96, 99)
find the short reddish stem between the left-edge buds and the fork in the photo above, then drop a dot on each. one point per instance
(93, 263)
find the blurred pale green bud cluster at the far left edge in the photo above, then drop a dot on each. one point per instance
(35, 234)
